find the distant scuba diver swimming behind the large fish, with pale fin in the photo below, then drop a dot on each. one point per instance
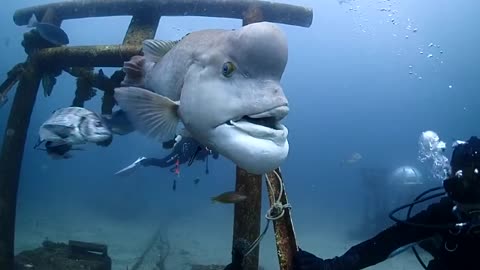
(187, 150)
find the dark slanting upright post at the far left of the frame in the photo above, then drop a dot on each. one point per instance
(11, 158)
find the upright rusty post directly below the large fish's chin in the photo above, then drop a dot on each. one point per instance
(247, 215)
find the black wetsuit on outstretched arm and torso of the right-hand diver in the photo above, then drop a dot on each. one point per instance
(377, 249)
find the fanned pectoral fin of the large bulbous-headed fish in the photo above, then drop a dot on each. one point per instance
(152, 114)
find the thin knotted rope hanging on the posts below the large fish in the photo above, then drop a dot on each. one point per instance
(275, 212)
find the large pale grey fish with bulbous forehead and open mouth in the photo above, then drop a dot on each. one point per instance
(222, 86)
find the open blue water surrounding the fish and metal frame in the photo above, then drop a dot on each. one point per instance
(349, 88)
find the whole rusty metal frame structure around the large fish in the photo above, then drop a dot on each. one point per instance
(146, 16)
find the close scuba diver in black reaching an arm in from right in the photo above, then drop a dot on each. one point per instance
(455, 220)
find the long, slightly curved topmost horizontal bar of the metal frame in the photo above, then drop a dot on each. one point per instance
(273, 12)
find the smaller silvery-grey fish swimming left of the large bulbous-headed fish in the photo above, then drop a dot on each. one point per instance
(74, 125)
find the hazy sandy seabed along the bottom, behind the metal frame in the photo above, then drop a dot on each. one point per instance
(205, 239)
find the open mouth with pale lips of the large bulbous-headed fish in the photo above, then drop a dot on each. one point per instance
(265, 125)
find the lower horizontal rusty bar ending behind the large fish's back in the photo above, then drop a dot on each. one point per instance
(87, 56)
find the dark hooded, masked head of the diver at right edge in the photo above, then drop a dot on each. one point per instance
(463, 186)
